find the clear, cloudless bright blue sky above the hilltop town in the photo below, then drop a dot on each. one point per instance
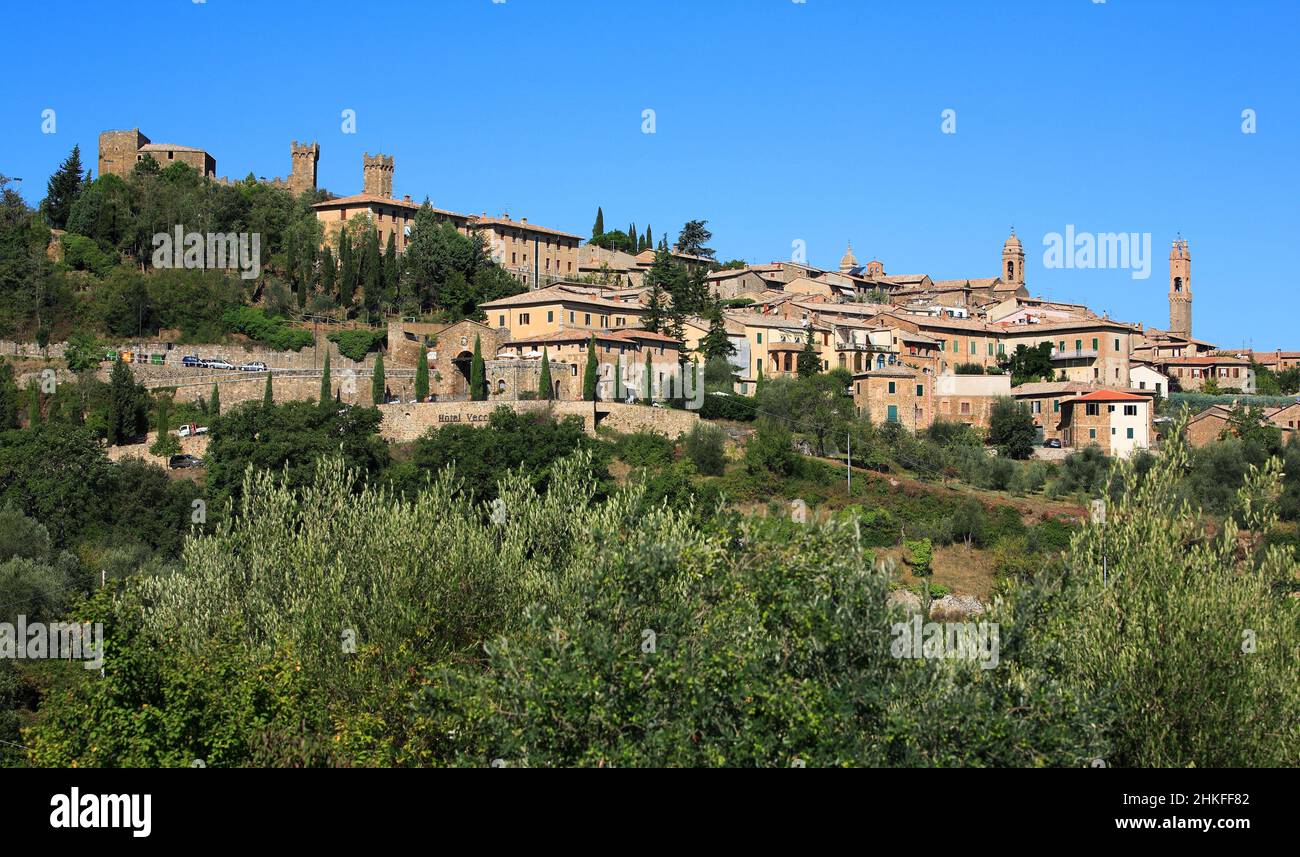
(777, 122)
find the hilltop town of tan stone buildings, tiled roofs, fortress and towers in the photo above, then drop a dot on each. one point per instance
(918, 350)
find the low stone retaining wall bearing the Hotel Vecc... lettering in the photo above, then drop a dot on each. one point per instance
(409, 422)
